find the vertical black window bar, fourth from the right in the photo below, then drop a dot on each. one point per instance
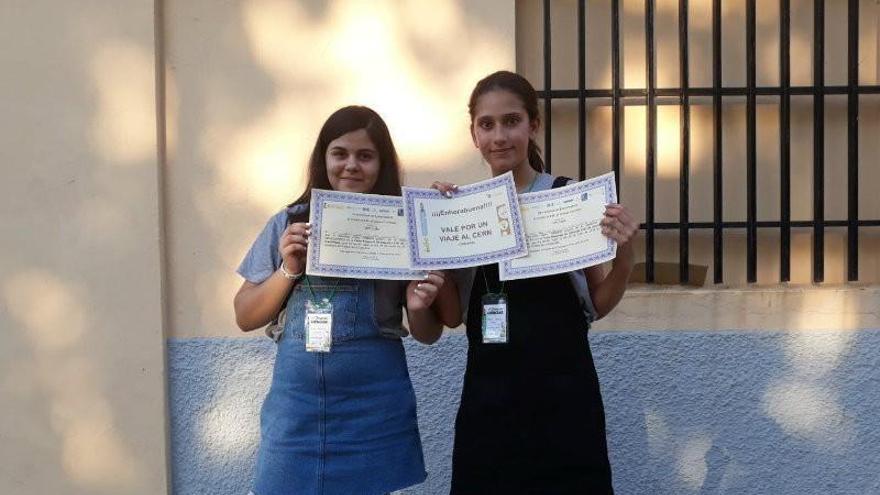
(751, 150)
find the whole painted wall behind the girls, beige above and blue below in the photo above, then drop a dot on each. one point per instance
(110, 242)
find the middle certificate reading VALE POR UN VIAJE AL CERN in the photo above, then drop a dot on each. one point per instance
(481, 224)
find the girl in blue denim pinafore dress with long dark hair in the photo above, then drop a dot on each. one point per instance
(343, 421)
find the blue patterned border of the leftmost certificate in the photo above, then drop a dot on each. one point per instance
(319, 198)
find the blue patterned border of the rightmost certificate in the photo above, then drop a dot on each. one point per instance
(605, 182)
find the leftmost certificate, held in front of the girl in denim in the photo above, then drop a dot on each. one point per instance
(358, 235)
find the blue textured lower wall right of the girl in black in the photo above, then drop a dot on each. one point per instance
(742, 413)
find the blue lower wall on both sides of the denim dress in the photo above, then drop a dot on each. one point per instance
(217, 387)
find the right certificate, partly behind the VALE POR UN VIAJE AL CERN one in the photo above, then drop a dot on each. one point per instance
(563, 229)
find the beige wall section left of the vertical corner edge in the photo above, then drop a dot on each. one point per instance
(81, 344)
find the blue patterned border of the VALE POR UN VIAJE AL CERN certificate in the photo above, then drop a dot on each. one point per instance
(410, 194)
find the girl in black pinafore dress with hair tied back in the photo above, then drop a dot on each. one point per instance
(531, 418)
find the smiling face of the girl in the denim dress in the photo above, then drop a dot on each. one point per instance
(352, 162)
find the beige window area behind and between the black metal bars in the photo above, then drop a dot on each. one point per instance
(667, 186)
